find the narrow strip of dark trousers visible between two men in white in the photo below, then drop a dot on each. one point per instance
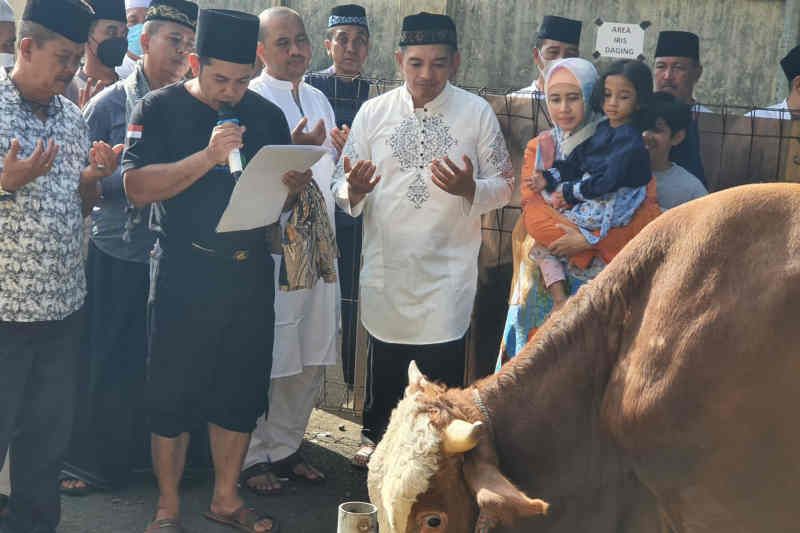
(348, 236)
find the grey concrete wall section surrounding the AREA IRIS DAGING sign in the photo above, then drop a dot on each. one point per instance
(739, 39)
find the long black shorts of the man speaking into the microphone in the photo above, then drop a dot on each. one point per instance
(211, 334)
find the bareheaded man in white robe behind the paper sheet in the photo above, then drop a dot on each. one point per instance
(306, 320)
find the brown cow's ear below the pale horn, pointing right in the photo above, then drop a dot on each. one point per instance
(499, 501)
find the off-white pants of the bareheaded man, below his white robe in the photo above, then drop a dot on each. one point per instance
(291, 400)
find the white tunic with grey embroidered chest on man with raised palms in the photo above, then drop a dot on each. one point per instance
(420, 247)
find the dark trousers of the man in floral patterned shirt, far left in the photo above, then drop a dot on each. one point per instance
(38, 367)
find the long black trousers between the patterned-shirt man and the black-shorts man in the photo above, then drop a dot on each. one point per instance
(110, 436)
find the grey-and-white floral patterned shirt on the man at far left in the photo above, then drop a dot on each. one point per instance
(41, 264)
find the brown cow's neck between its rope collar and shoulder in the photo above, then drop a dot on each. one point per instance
(546, 409)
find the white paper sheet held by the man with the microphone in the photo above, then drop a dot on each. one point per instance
(260, 194)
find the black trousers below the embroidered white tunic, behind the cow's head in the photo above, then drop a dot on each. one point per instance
(387, 376)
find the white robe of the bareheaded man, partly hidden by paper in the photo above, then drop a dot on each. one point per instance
(306, 321)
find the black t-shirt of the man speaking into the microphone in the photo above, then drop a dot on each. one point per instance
(169, 125)
